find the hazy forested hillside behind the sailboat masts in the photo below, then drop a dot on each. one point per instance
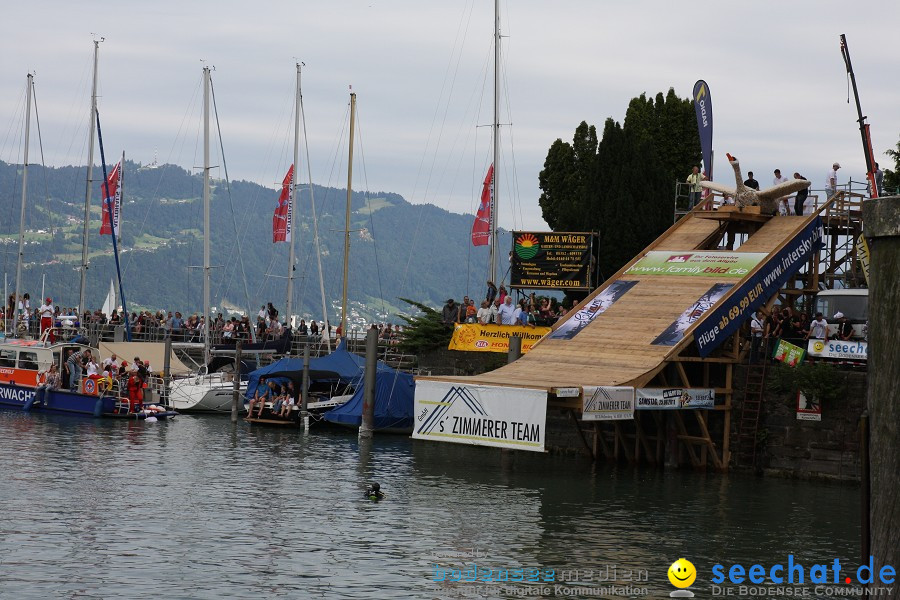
(397, 249)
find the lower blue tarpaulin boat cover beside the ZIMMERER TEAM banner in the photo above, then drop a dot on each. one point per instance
(394, 394)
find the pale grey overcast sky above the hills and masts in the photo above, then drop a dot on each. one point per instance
(421, 73)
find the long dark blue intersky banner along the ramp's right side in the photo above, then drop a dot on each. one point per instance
(742, 303)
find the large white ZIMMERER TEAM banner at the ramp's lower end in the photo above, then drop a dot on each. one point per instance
(480, 414)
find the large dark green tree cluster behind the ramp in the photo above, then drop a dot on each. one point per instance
(622, 185)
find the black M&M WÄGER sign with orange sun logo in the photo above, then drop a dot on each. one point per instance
(551, 260)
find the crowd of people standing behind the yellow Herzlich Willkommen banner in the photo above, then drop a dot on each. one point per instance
(499, 308)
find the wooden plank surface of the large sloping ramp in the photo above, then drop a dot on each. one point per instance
(617, 347)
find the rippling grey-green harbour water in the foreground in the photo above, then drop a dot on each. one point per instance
(194, 508)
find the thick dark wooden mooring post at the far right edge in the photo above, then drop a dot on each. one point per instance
(882, 222)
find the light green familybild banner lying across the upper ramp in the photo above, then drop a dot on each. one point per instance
(719, 264)
